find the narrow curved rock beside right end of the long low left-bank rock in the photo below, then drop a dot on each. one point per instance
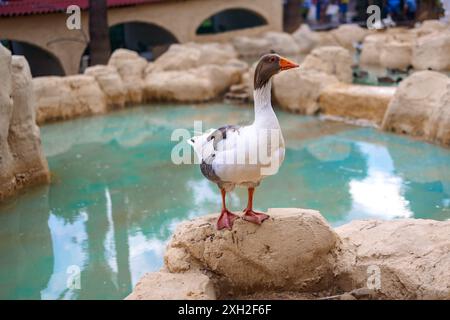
(111, 84)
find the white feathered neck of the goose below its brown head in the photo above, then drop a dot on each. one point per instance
(264, 115)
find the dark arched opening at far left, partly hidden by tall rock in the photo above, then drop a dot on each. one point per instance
(42, 62)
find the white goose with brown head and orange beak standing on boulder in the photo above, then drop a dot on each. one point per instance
(234, 155)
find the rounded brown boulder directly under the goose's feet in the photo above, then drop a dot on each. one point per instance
(294, 249)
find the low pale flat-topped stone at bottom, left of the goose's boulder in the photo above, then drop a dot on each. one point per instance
(173, 286)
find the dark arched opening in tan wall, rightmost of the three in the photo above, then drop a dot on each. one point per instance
(230, 20)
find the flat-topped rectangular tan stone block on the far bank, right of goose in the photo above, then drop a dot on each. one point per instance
(356, 101)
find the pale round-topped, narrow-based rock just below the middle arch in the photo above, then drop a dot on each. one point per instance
(131, 68)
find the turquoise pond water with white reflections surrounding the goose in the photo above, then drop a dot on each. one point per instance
(116, 197)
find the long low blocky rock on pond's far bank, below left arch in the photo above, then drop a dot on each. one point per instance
(59, 98)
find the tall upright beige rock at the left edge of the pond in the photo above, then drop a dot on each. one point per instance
(22, 162)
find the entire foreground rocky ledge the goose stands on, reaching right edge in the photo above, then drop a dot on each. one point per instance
(297, 255)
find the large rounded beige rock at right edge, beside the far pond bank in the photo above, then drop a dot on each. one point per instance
(421, 107)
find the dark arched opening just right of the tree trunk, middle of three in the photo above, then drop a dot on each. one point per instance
(148, 38)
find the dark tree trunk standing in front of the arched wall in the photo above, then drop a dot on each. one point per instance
(99, 44)
